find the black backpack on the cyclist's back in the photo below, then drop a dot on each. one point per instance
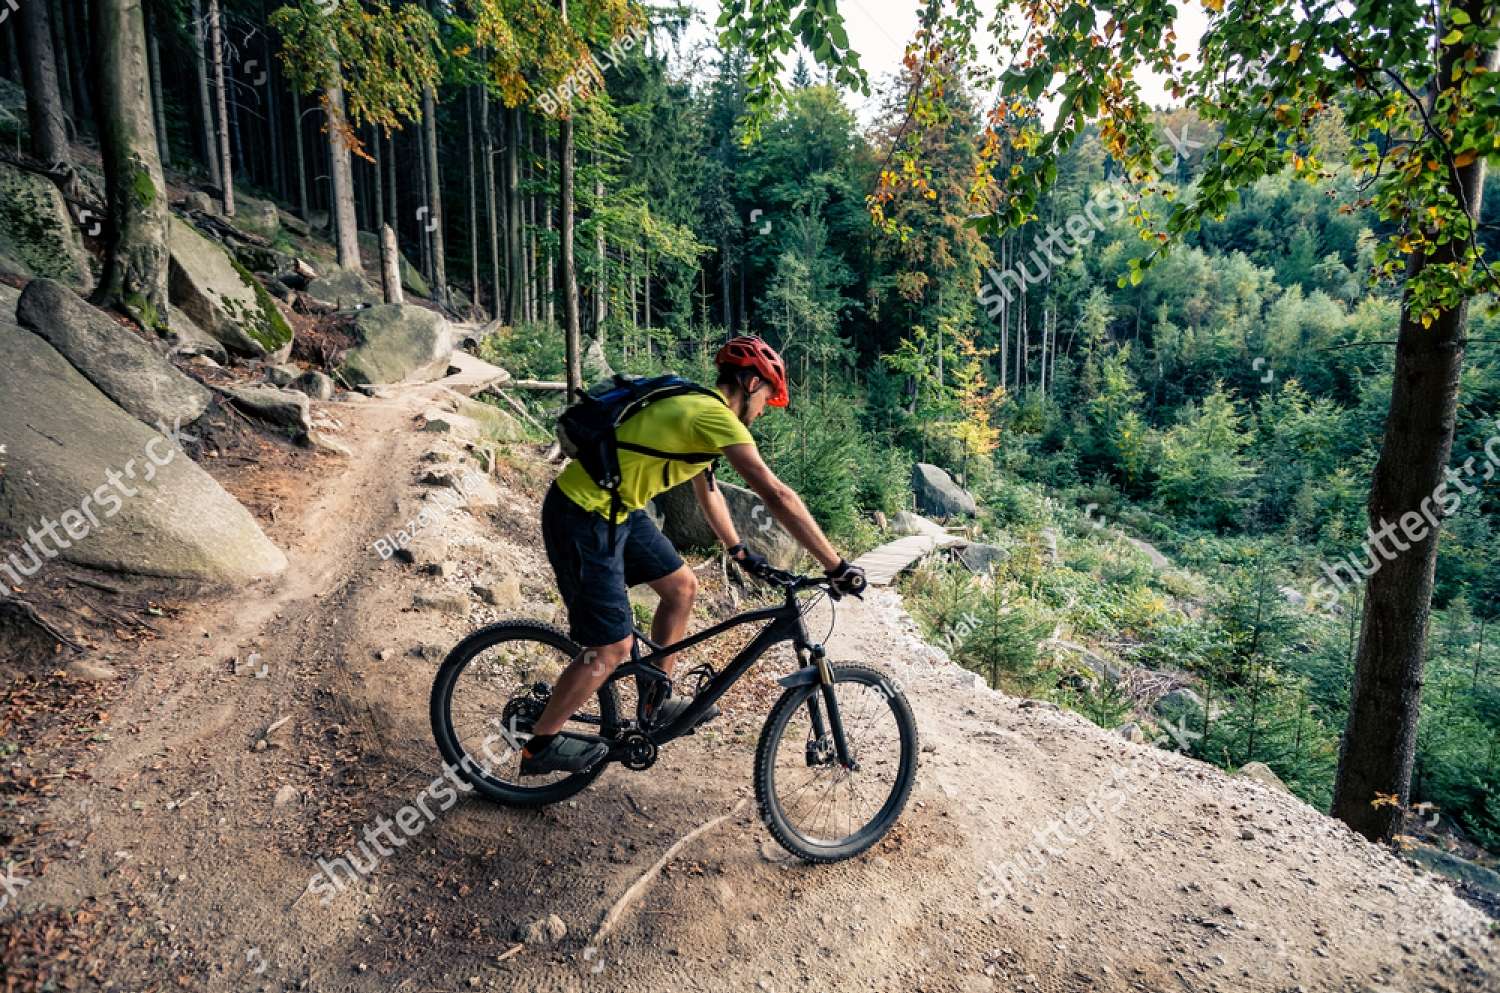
(587, 431)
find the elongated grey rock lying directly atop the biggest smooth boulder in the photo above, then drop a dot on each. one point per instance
(115, 359)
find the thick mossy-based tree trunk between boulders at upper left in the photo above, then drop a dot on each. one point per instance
(136, 266)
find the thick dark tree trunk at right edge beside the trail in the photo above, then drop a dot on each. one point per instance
(1379, 743)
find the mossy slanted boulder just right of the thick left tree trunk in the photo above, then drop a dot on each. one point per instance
(221, 298)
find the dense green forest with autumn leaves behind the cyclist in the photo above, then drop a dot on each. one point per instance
(1114, 323)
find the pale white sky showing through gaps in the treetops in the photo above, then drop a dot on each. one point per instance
(880, 31)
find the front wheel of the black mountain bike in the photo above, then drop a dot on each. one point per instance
(814, 805)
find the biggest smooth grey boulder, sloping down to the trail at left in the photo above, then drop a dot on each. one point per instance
(89, 484)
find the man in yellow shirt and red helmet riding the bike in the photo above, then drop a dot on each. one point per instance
(593, 577)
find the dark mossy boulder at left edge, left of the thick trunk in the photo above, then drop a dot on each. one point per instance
(37, 232)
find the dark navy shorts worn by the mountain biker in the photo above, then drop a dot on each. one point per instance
(593, 577)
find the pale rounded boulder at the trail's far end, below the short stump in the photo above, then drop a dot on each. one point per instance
(398, 343)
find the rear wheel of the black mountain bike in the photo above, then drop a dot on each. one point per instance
(485, 700)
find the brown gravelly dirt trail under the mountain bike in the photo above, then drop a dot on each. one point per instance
(1172, 877)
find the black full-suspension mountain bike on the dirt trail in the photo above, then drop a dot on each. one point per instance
(836, 760)
